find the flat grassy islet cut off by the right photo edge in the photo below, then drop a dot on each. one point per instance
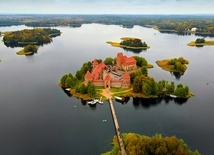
(200, 42)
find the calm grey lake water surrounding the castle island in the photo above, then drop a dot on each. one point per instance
(37, 117)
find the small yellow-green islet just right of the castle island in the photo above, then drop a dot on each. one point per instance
(174, 65)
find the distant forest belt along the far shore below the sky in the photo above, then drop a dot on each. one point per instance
(181, 24)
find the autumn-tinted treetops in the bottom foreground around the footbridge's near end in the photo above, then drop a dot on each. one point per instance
(140, 144)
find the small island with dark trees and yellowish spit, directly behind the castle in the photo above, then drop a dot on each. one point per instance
(129, 43)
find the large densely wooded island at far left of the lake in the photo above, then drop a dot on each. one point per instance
(36, 36)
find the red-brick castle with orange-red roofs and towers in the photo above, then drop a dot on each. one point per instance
(102, 76)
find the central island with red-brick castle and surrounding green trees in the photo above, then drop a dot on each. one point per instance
(122, 76)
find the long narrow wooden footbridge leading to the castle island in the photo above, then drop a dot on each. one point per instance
(116, 124)
